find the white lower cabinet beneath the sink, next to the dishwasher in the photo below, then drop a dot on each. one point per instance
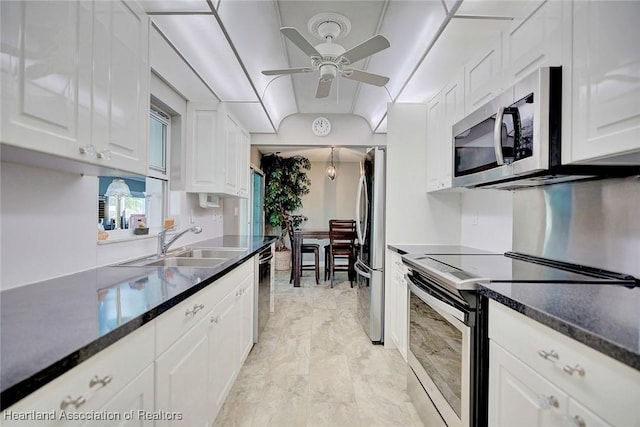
(195, 374)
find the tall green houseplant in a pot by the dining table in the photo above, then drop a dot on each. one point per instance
(286, 181)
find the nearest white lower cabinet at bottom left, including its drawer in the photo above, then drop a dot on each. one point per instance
(109, 385)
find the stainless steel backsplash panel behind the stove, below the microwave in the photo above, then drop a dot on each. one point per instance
(595, 223)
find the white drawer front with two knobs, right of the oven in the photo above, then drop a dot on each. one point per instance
(598, 382)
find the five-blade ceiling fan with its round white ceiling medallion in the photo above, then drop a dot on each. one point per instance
(329, 58)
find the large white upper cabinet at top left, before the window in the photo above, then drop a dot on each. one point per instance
(75, 81)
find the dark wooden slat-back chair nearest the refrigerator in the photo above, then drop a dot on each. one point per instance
(342, 236)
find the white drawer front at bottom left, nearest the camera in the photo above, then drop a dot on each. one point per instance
(92, 384)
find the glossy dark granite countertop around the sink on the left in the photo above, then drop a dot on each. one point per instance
(47, 328)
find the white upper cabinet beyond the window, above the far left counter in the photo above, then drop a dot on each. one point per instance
(217, 151)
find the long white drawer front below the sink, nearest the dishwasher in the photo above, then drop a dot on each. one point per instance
(178, 320)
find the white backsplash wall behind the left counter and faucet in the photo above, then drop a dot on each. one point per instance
(49, 225)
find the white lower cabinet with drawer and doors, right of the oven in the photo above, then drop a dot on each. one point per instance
(539, 377)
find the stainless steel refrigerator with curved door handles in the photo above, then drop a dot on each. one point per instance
(369, 266)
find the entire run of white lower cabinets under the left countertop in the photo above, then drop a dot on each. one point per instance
(206, 340)
